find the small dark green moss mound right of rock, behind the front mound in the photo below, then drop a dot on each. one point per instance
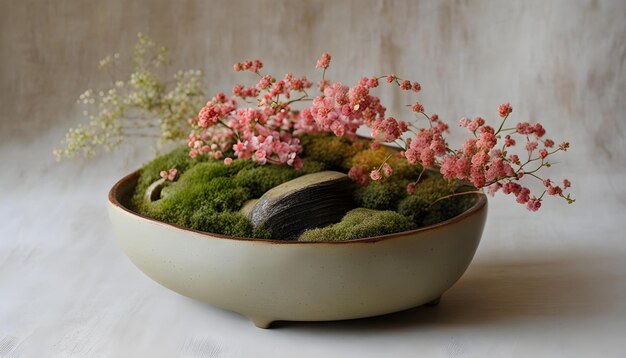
(381, 195)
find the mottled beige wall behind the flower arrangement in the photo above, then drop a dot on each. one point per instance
(560, 62)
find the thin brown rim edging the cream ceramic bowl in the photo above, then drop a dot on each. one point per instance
(481, 203)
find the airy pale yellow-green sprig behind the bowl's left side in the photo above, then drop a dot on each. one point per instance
(142, 103)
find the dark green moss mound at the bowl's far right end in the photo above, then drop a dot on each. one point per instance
(423, 207)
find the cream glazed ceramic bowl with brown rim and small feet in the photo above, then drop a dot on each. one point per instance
(271, 280)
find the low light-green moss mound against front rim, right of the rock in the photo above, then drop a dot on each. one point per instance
(360, 223)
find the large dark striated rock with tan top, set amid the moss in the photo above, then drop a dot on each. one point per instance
(312, 200)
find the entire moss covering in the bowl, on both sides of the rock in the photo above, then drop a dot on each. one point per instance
(208, 194)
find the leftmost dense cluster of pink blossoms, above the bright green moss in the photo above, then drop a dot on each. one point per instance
(263, 133)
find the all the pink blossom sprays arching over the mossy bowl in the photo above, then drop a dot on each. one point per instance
(268, 131)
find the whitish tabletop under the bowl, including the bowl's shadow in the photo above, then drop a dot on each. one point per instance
(541, 284)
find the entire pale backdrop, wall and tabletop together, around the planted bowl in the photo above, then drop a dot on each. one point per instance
(558, 62)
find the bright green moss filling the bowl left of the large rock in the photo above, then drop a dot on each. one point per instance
(208, 195)
